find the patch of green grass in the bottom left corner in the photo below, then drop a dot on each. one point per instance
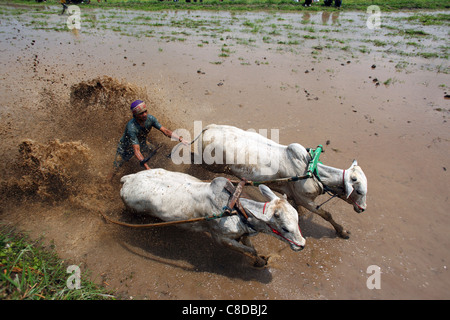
(30, 271)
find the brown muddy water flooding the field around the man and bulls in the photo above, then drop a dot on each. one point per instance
(318, 79)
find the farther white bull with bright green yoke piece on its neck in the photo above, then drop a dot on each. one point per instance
(265, 160)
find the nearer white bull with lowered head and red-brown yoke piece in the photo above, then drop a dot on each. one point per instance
(174, 196)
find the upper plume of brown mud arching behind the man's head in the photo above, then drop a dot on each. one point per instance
(99, 109)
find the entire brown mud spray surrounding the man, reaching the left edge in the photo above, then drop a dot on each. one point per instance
(70, 168)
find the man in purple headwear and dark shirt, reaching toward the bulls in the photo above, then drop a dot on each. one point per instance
(134, 139)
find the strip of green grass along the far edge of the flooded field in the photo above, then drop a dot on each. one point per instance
(248, 5)
